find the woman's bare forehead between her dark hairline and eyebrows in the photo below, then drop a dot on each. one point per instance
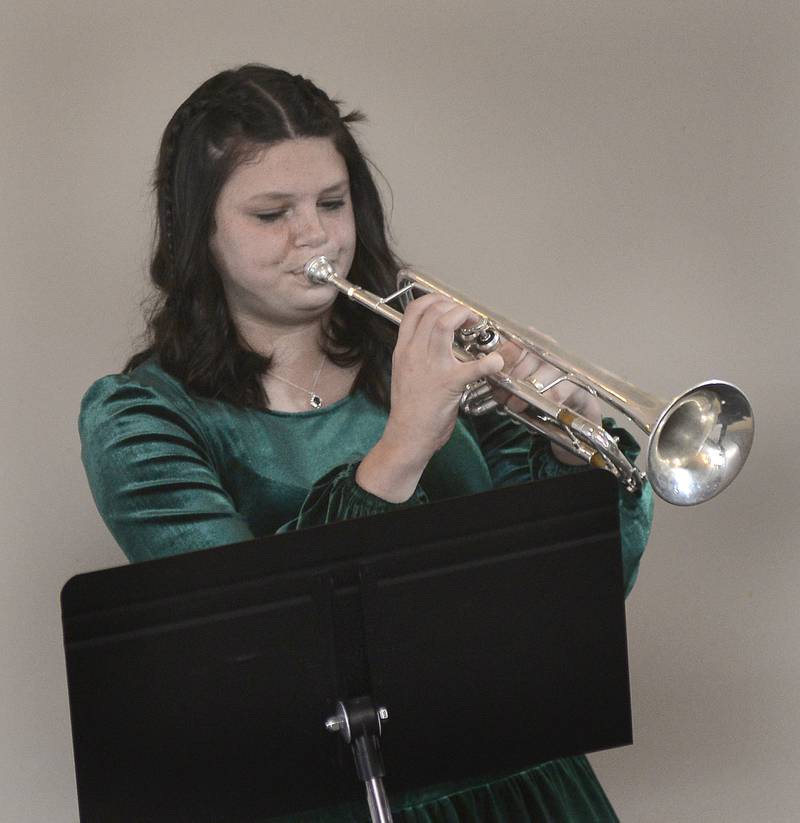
(298, 167)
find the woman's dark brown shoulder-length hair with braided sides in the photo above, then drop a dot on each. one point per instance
(225, 122)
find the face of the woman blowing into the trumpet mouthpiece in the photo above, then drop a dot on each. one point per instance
(288, 204)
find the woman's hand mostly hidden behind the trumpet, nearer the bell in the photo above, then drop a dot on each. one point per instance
(522, 364)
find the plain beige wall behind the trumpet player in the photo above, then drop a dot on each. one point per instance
(623, 175)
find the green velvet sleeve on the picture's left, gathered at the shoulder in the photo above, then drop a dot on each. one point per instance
(150, 473)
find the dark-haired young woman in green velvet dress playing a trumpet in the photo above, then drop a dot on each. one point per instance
(264, 403)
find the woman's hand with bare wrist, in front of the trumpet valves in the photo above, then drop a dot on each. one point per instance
(427, 382)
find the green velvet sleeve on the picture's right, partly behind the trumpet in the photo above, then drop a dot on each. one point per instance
(515, 455)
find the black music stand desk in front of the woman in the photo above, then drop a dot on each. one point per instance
(491, 627)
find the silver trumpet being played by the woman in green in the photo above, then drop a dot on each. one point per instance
(697, 442)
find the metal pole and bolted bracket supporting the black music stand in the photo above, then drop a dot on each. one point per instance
(359, 723)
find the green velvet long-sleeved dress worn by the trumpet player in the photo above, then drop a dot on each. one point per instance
(171, 472)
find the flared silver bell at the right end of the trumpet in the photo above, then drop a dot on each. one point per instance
(700, 443)
